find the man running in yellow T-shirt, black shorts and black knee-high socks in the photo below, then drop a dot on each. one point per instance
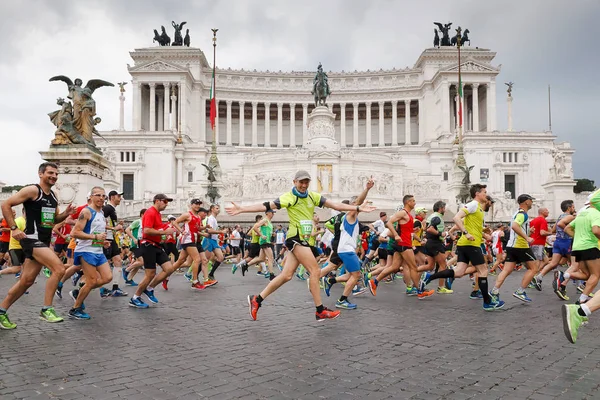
(468, 248)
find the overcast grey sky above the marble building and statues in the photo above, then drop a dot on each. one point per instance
(539, 42)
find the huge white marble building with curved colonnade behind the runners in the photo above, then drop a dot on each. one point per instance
(398, 126)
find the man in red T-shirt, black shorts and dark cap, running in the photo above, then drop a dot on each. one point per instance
(153, 252)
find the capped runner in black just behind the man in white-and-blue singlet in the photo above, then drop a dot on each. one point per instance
(113, 251)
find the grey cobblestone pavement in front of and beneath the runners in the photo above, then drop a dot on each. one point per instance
(204, 344)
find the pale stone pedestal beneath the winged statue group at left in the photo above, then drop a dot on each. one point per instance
(80, 168)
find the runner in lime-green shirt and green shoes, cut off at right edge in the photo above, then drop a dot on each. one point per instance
(585, 230)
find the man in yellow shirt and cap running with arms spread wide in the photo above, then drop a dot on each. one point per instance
(300, 204)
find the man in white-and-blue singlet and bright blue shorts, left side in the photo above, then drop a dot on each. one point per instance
(90, 230)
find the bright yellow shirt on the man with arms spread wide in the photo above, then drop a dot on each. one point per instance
(300, 211)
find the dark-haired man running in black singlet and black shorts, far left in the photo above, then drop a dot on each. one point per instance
(41, 213)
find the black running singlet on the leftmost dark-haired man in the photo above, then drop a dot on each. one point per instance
(39, 216)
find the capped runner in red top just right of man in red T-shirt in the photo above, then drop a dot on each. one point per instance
(190, 242)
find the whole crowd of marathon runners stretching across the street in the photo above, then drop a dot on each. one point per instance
(91, 247)
